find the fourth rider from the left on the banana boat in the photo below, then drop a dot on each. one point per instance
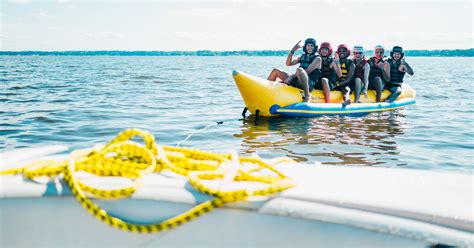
(360, 80)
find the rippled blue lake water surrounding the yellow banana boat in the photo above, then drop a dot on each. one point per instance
(80, 101)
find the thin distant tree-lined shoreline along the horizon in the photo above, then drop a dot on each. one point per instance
(263, 53)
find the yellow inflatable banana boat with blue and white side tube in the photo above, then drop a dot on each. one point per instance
(274, 98)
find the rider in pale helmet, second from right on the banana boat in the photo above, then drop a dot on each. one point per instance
(379, 71)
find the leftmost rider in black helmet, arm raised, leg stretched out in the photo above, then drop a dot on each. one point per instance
(307, 74)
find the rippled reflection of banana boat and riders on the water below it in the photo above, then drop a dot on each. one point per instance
(335, 140)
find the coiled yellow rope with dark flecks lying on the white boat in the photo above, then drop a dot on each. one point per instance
(125, 158)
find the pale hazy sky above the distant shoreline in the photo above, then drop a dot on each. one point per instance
(231, 25)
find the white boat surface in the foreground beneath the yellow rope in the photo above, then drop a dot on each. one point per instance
(331, 206)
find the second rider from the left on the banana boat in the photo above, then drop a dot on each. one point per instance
(329, 71)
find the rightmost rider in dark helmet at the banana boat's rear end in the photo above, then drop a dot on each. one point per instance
(398, 68)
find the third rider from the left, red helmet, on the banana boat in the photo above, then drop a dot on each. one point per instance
(347, 71)
